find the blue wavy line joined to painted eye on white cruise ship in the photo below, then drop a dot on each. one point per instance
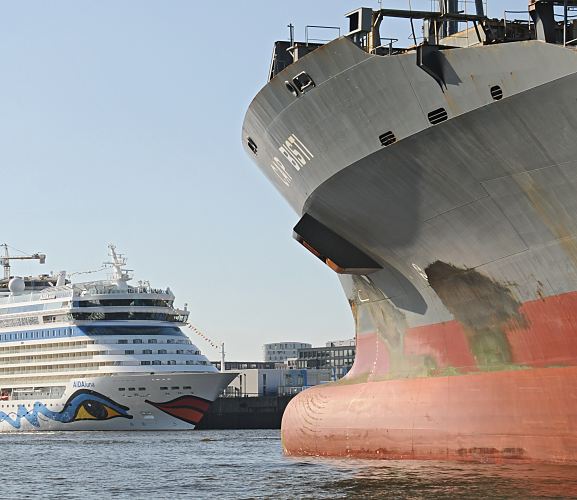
(82, 405)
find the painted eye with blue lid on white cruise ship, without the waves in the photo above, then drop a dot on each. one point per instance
(91, 405)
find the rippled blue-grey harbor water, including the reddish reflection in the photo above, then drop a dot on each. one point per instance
(243, 464)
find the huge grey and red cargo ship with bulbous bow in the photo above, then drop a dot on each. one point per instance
(438, 178)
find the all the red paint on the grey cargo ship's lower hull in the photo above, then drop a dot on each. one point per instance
(525, 411)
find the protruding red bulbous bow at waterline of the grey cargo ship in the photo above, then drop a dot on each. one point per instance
(526, 415)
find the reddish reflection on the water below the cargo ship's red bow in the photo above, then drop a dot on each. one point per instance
(416, 479)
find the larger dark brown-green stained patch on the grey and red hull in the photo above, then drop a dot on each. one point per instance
(483, 306)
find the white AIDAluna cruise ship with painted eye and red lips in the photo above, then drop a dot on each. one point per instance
(98, 355)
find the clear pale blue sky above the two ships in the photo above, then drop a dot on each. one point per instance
(120, 122)
